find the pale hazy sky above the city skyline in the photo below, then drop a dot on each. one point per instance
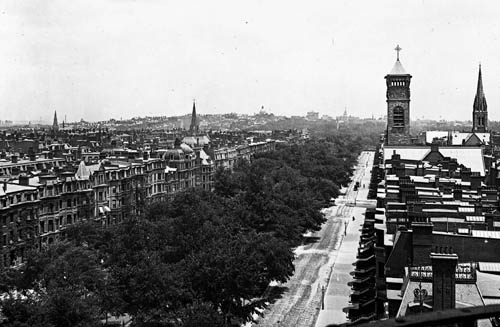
(97, 59)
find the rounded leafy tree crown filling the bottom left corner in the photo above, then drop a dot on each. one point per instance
(58, 286)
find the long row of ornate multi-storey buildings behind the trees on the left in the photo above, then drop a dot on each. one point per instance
(43, 193)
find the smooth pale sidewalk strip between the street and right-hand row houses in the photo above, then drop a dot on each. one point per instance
(337, 292)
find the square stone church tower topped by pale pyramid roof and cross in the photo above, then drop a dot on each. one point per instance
(398, 104)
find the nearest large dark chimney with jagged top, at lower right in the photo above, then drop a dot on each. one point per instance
(443, 279)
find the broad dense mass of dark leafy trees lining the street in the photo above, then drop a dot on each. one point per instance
(202, 259)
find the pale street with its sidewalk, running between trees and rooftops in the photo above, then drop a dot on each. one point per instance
(316, 263)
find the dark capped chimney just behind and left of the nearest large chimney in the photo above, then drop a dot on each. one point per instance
(422, 241)
